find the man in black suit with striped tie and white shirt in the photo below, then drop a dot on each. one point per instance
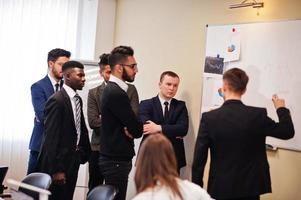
(66, 143)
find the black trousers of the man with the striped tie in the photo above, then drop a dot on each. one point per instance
(65, 191)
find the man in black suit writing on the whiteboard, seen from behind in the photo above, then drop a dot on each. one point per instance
(236, 134)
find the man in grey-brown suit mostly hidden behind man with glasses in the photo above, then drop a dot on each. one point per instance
(94, 118)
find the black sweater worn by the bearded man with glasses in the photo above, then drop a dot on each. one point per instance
(117, 113)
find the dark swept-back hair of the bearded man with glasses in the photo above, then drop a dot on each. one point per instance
(119, 55)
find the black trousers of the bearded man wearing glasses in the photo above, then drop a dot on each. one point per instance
(116, 173)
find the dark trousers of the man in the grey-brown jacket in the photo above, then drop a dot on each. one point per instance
(95, 176)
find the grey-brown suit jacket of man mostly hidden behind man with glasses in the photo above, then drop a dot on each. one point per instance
(94, 119)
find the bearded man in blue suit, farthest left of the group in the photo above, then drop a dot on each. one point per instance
(40, 92)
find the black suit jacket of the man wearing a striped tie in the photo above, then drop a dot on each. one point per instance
(59, 148)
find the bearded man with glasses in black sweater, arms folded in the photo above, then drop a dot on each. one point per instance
(119, 122)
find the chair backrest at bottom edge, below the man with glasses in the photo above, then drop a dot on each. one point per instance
(102, 192)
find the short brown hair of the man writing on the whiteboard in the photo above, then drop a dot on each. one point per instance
(237, 79)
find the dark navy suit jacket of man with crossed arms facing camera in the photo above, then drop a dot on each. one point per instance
(176, 126)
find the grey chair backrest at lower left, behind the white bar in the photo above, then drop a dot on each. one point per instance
(40, 180)
